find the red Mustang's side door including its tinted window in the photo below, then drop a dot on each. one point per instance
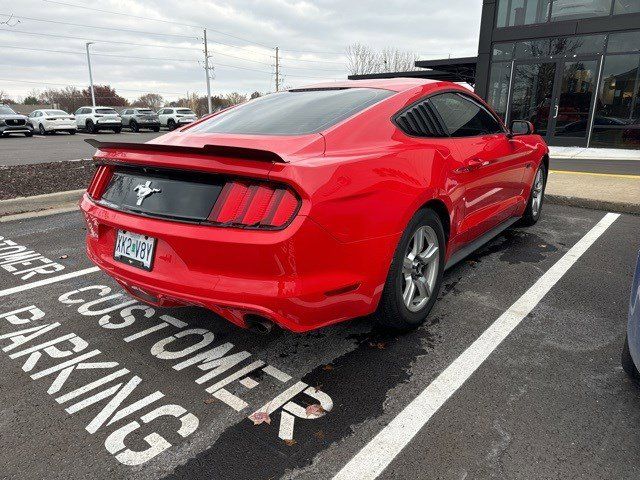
(492, 167)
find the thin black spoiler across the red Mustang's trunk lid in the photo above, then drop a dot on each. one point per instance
(211, 150)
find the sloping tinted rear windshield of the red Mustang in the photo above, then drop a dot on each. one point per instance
(294, 112)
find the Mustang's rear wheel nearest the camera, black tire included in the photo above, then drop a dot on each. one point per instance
(394, 312)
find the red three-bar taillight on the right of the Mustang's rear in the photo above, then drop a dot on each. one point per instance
(258, 205)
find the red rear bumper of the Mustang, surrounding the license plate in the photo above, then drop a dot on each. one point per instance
(301, 277)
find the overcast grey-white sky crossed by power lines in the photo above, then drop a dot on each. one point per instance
(312, 36)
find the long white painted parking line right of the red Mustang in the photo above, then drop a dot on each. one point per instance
(371, 461)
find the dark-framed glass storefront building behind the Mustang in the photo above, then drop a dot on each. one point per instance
(571, 67)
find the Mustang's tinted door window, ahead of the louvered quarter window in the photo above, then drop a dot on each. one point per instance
(463, 117)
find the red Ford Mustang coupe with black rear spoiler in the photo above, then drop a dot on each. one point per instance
(316, 205)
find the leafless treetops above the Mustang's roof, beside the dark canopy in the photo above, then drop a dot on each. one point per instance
(362, 60)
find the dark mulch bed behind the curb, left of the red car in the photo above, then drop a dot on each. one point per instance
(40, 178)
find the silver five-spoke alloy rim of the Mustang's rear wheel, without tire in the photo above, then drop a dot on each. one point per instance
(420, 268)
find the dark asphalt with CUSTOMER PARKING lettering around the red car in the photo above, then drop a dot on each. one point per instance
(551, 401)
